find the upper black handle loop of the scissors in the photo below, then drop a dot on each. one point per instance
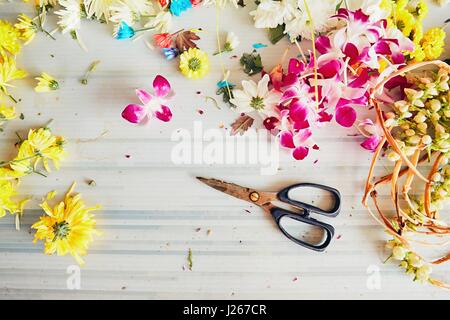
(283, 196)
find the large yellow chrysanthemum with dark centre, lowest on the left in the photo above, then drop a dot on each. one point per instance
(67, 228)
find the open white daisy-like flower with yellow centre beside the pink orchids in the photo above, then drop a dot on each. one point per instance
(255, 99)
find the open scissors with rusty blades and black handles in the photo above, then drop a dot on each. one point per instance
(265, 201)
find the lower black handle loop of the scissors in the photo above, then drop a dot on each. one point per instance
(279, 214)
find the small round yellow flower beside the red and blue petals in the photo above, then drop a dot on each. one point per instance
(194, 63)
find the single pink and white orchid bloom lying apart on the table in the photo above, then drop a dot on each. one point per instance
(152, 104)
